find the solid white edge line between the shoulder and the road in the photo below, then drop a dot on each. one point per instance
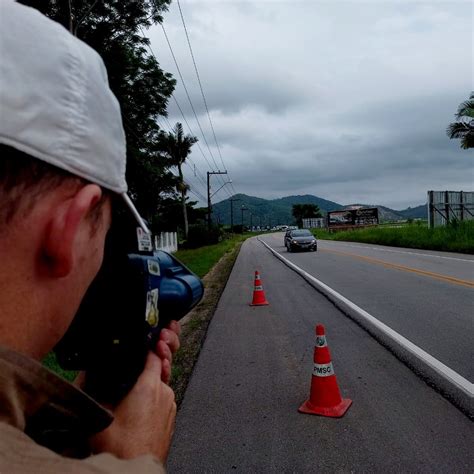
(442, 369)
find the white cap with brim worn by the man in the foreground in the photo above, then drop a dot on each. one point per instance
(55, 100)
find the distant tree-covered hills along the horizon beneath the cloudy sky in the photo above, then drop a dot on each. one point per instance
(272, 212)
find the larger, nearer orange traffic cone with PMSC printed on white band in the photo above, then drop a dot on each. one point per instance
(325, 398)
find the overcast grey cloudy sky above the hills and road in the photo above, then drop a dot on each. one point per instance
(345, 100)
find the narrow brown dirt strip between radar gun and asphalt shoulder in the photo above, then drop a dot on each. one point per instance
(194, 325)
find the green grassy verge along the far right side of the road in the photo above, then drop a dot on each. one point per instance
(455, 237)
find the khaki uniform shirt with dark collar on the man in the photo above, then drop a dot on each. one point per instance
(38, 409)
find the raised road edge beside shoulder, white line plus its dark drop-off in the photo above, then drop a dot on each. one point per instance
(454, 387)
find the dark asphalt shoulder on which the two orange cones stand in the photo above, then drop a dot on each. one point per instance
(240, 413)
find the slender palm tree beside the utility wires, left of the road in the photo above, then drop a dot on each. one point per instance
(178, 147)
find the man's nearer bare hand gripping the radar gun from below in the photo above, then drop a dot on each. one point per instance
(144, 419)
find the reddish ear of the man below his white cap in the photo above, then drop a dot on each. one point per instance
(65, 225)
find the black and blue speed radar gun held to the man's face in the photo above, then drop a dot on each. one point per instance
(136, 293)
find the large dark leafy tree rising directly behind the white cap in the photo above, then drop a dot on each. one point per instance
(114, 29)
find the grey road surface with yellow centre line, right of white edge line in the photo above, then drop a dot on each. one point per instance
(428, 297)
